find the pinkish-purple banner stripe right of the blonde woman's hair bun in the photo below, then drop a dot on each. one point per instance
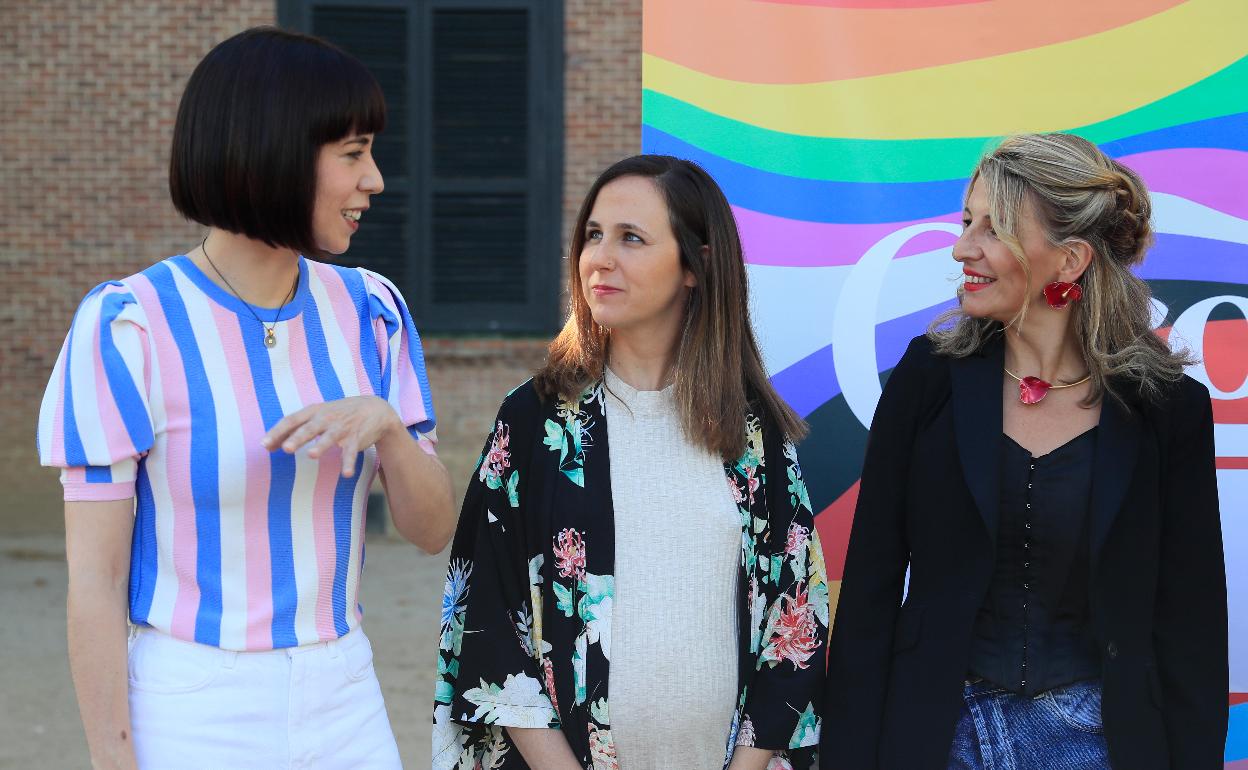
(1209, 177)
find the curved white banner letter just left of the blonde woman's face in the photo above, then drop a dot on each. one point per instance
(854, 321)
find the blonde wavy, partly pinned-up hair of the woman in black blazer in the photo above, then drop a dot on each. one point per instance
(1078, 194)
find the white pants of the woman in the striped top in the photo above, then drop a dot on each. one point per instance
(198, 707)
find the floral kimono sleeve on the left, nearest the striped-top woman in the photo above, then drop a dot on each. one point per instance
(490, 660)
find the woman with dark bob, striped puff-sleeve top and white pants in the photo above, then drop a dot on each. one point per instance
(220, 419)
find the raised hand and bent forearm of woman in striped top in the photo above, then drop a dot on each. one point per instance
(417, 485)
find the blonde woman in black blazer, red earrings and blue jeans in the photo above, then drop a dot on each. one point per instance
(1045, 470)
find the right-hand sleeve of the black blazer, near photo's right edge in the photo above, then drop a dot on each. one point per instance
(1191, 615)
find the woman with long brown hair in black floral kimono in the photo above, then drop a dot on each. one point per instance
(652, 596)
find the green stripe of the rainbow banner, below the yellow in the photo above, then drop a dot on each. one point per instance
(922, 160)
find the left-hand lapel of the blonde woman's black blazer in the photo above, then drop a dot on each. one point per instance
(977, 384)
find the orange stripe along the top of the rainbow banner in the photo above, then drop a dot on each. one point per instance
(809, 44)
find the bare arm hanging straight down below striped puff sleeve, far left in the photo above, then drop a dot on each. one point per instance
(98, 551)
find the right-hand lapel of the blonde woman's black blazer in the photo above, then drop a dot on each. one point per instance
(1118, 449)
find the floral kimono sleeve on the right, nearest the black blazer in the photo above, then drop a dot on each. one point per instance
(784, 701)
